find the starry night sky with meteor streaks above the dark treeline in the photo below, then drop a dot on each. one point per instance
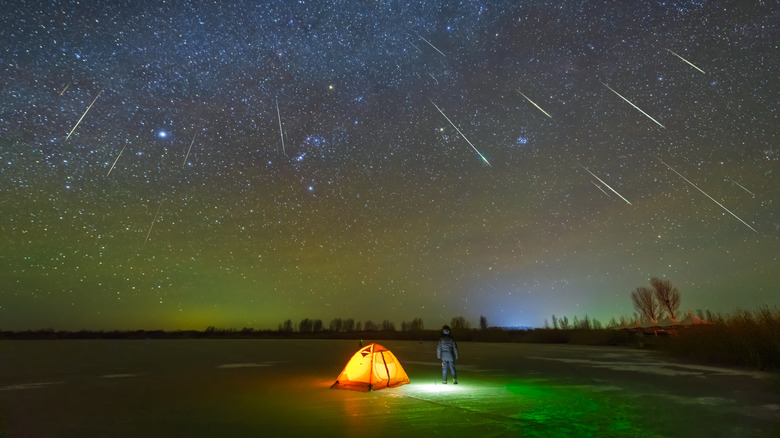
(179, 165)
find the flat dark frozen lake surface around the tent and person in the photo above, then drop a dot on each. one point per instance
(243, 388)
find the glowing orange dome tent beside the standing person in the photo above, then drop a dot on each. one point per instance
(372, 367)
